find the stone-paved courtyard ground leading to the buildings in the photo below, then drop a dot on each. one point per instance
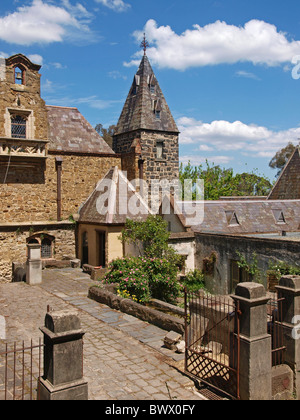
(124, 358)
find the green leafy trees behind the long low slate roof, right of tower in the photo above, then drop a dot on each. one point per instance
(221, 182)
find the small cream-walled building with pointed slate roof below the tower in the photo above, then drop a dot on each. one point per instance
(103, 217)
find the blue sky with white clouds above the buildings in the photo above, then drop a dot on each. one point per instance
(228, 69)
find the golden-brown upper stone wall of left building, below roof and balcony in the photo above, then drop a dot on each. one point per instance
(30, 194)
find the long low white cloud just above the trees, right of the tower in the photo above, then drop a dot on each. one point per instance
(224, 136)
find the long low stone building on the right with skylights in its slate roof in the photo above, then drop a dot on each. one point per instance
(262, 230)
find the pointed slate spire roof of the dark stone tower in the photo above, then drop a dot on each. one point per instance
(144, 98)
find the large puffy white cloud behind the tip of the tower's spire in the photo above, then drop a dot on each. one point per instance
(257, 42)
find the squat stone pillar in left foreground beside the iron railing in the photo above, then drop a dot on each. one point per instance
(63, 358)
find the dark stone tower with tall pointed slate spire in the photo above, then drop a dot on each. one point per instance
(146, 135)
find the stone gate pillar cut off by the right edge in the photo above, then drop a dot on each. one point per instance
(289, 290)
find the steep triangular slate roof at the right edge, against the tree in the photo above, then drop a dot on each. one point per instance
(288, 184)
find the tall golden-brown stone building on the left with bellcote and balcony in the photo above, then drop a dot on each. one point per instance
(50, 161)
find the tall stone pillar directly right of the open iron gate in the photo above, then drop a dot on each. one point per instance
(255, 343)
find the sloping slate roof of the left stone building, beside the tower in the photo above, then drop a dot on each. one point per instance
(69, 131)
